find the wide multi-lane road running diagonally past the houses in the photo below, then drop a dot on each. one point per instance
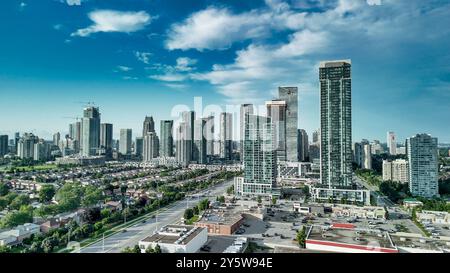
(130, 236)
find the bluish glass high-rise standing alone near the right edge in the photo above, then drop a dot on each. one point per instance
(423, 165)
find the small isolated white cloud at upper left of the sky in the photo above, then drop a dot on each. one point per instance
(115, 21)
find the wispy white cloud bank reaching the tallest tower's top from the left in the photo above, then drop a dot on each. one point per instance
(258, 69)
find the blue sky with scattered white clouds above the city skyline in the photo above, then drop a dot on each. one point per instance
(142, 57)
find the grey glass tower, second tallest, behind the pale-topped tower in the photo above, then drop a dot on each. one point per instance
(290, 96)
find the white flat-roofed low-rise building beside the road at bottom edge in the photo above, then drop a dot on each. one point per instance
(176, 239)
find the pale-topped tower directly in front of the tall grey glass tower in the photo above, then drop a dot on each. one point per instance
(276, 111)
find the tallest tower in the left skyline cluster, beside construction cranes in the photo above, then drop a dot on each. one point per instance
(90, 127)
